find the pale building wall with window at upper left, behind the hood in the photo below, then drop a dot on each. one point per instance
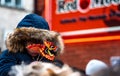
(11, 12)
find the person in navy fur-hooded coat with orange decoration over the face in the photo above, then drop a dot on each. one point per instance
(31, 41)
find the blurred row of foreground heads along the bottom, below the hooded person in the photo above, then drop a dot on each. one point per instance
(93, 68)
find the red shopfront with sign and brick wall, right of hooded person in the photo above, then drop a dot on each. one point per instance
(90, 29)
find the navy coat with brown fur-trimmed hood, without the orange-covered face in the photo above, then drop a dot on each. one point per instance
(26, 31)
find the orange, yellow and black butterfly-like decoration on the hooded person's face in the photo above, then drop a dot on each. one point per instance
(47, 50)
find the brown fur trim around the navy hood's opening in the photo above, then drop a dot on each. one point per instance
(16, 41)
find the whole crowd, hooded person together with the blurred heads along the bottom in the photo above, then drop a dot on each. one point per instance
(33, 50)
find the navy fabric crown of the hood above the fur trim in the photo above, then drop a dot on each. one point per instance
(33, 20)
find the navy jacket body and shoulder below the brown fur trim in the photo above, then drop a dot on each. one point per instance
(8, 59)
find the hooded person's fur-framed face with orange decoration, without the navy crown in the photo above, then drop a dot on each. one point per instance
(43, 41)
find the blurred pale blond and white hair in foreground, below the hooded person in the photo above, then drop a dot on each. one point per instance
(43, 69)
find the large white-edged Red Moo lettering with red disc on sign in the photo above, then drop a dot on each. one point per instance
(83, 6)
